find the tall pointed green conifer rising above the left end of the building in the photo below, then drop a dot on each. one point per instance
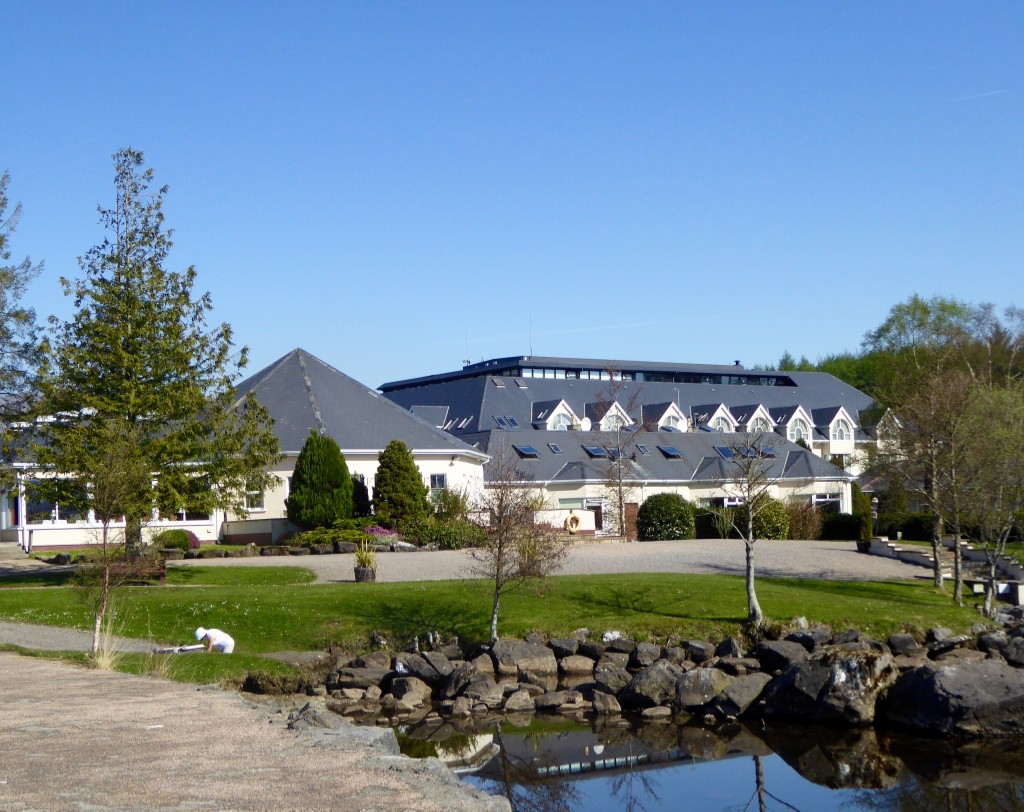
(144, 376)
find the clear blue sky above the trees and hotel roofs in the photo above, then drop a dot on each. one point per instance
(386, 185)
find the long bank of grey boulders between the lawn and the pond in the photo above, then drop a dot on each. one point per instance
(946, 685)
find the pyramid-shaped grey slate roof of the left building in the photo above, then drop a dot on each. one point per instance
(303, 393)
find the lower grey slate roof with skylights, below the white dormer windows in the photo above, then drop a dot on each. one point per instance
(698, 462)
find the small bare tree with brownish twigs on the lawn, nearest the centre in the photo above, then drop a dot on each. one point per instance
(516, 549)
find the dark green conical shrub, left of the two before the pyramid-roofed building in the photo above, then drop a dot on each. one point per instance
(322, 488)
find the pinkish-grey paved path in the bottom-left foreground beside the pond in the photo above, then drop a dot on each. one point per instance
(76, 739)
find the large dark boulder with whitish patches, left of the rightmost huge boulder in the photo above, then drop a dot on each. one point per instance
(831, 687)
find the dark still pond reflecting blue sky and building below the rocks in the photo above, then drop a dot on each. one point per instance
(553, 764)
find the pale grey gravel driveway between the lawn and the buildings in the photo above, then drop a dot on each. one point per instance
(833, 561)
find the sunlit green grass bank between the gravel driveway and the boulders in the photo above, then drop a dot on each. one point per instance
(275, 610)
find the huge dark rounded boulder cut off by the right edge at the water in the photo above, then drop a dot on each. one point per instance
(972, 700)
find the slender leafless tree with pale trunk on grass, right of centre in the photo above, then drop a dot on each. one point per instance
(749, 479)
